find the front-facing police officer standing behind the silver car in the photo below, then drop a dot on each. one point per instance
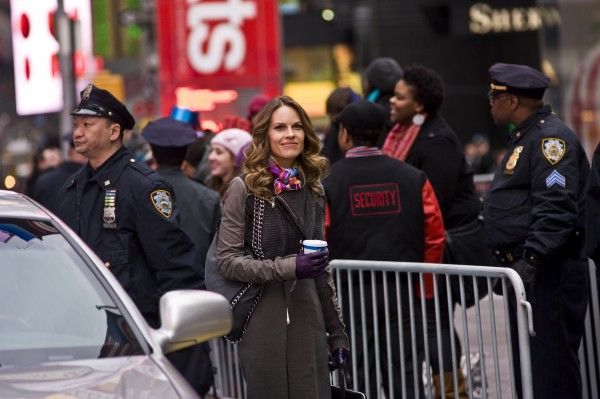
(123, 210)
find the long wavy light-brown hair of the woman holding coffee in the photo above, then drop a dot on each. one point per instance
(310, 163)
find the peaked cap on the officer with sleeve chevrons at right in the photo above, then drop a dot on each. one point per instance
(520, 80)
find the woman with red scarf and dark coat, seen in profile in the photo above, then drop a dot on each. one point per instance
(422, 138)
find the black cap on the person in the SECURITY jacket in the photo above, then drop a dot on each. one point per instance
(362, 116)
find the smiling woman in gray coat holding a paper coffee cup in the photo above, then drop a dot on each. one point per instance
(278, 202)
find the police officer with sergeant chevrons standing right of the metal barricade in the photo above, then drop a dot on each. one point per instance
(534, 219)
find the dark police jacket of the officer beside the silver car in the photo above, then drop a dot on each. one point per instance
(141, 241)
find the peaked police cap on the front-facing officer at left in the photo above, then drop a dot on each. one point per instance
(99, 102)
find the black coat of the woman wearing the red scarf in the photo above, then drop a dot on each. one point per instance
(438, 152)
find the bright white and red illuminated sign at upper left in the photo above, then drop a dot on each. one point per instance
(38, 83)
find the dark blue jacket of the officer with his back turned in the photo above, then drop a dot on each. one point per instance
(199, 208)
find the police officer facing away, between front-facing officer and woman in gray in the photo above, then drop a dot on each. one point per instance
(199, 208)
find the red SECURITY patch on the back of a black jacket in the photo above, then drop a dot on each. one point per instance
(374, 199)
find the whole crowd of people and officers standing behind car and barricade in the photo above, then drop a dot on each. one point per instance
(391, 173)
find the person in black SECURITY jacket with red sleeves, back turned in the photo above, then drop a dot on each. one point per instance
(390, 208)
